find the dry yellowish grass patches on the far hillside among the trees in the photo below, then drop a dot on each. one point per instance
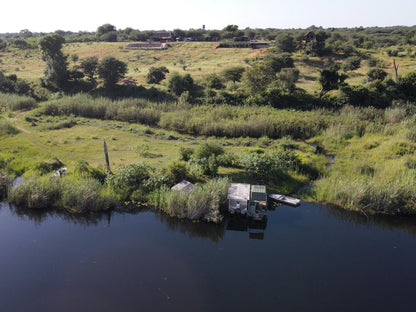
(197, 59)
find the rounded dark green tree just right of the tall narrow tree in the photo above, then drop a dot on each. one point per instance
(111, 70)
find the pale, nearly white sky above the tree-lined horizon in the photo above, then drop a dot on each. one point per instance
(87, 15)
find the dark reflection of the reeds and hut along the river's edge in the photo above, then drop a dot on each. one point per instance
(216, 232)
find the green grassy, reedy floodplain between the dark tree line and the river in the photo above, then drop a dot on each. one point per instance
(374, 151)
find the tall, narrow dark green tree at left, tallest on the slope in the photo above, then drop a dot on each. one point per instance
(56, 72)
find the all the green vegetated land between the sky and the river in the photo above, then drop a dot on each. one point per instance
(326, 115)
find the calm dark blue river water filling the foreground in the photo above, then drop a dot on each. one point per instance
(310, 258)
